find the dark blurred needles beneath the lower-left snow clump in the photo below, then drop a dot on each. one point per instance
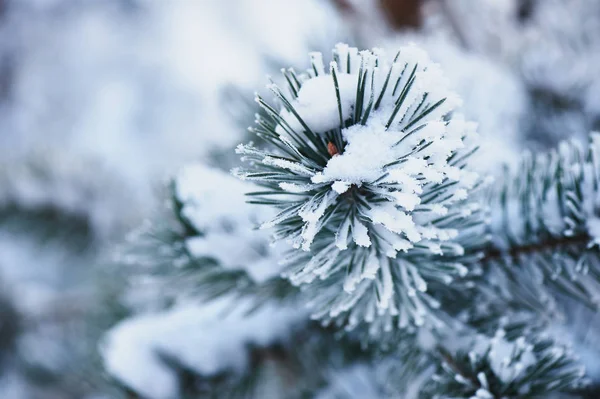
(296, 366)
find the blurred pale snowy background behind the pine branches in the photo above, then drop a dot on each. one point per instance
(103, 101)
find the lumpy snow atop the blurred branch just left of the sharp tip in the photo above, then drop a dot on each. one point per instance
(214, 202)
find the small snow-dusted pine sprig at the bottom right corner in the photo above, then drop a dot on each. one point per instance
(528, 366)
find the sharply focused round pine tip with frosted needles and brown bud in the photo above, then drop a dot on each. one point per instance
(367, 163)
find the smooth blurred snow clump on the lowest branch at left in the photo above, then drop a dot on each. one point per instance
(208, 339)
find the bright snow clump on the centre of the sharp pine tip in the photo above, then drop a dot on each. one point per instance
(371, 148)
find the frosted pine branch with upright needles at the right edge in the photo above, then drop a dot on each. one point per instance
(545, 222)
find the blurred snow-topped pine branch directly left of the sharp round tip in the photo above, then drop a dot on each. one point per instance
(203, 248)
